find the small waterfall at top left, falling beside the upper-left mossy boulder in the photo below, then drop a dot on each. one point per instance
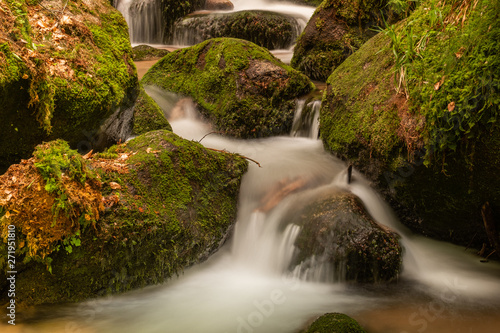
(144, 19)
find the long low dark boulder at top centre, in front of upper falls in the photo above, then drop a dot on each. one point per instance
(267, 29)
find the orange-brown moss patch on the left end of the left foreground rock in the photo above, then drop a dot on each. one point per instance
(27, 205)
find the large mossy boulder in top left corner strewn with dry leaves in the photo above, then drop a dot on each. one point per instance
(61, 76)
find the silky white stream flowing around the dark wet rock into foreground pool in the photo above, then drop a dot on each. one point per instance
(248, 287)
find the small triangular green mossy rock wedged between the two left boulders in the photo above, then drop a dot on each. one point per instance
(148, 116)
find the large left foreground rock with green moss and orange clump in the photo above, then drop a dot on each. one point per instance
(129, 217)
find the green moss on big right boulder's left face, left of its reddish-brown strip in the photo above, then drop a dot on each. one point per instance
(362, 116)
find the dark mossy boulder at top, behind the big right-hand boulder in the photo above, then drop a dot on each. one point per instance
(337, 29)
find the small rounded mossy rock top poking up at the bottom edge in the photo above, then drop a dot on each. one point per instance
(334, 323)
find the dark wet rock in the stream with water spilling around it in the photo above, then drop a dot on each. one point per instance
(337, 232)
